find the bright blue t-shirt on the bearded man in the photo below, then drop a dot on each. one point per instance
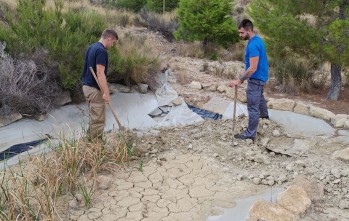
(256, 48)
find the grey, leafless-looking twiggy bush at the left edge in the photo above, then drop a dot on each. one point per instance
(25, 87)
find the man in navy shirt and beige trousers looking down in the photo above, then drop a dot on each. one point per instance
(97, 57)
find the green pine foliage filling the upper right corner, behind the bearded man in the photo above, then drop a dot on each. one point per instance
(306, 27)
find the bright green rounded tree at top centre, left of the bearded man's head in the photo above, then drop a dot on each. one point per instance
(206, 21)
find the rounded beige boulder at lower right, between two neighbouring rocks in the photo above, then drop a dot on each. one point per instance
(295, 199)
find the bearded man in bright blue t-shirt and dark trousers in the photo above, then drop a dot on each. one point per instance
(256, 72)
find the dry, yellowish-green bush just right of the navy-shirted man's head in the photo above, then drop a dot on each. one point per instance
(137, 62)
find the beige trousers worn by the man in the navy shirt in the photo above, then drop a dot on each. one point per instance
(96, 107)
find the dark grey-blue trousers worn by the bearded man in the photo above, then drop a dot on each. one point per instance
(256, 105)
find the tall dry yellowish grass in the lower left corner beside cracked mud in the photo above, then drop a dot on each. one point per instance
(30, 190)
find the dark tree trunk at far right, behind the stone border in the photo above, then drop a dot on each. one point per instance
(336, 82)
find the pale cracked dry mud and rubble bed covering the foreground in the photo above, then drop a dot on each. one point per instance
(189, 172)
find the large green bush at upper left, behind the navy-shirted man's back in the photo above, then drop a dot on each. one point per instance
(64, 35)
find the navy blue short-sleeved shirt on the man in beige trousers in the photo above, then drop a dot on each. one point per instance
(95, 54)
